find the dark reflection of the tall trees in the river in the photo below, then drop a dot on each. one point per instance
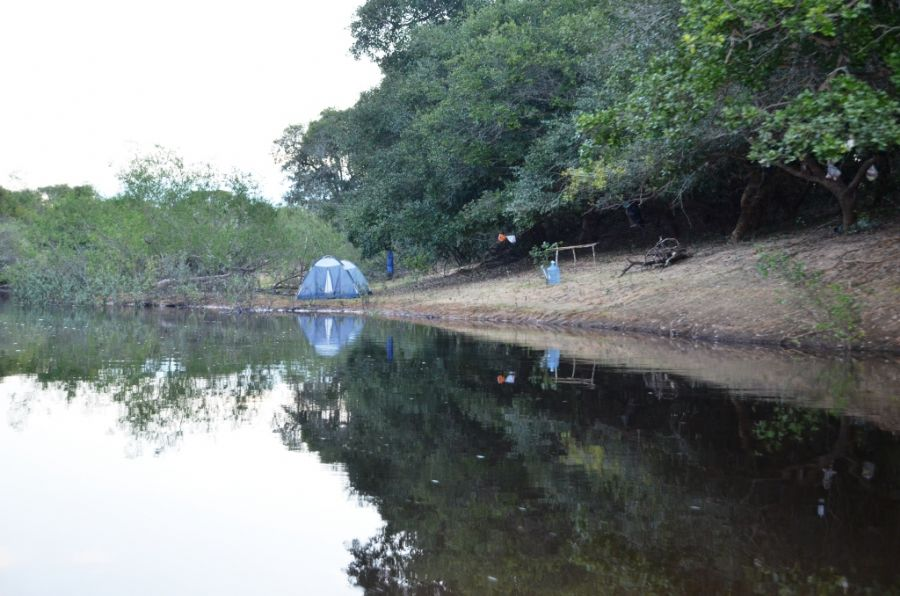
(642, 483)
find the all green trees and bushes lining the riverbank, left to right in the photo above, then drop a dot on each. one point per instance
(558, 121)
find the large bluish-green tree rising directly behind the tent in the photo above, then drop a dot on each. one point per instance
(471, 129)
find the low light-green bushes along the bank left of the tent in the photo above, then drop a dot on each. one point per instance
(174, 233)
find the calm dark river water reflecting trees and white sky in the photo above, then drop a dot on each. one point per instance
(165, 452)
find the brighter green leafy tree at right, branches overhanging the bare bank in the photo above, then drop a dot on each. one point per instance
(809, 87)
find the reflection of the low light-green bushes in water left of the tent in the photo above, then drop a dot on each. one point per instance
(170, 373)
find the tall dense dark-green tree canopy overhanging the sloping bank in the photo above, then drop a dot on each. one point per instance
(529, 115)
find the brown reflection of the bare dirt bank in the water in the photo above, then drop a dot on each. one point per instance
(864, 387)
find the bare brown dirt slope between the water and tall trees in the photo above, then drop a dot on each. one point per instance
(718, 294)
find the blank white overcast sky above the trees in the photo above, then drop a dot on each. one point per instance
(86, 86)
